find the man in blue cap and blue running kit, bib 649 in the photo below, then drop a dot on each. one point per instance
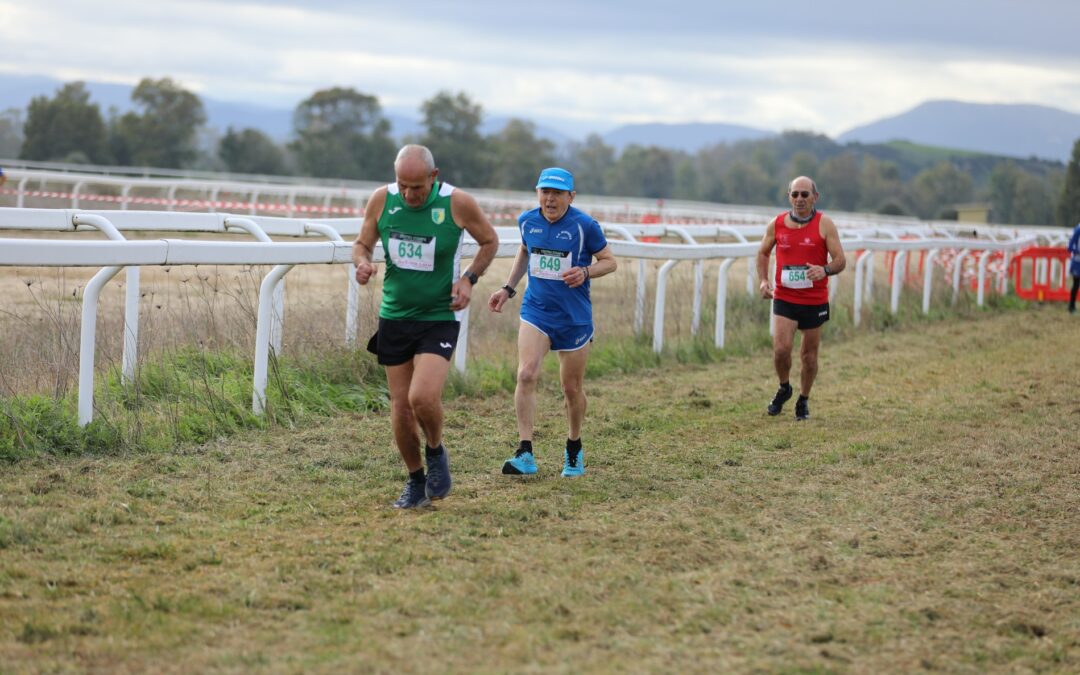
(559, 247)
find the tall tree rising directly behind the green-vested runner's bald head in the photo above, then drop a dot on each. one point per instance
(452, 132)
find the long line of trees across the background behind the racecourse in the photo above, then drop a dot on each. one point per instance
(343, 133)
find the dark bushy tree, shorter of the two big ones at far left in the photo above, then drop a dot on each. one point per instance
(64, 128)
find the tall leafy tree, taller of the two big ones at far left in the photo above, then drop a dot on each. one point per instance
(164, 129)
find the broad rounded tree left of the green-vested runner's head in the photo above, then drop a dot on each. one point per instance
(343, 133)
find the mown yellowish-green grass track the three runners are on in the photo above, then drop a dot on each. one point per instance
(925, 519)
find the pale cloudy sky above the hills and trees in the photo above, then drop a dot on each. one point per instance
(580, 66)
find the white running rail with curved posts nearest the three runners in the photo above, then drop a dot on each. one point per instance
(117, 253)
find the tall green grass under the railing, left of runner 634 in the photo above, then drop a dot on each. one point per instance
(190, 397)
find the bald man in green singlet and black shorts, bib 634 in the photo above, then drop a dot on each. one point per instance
(418, 220)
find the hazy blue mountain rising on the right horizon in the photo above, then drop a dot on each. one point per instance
(1010, 130)
